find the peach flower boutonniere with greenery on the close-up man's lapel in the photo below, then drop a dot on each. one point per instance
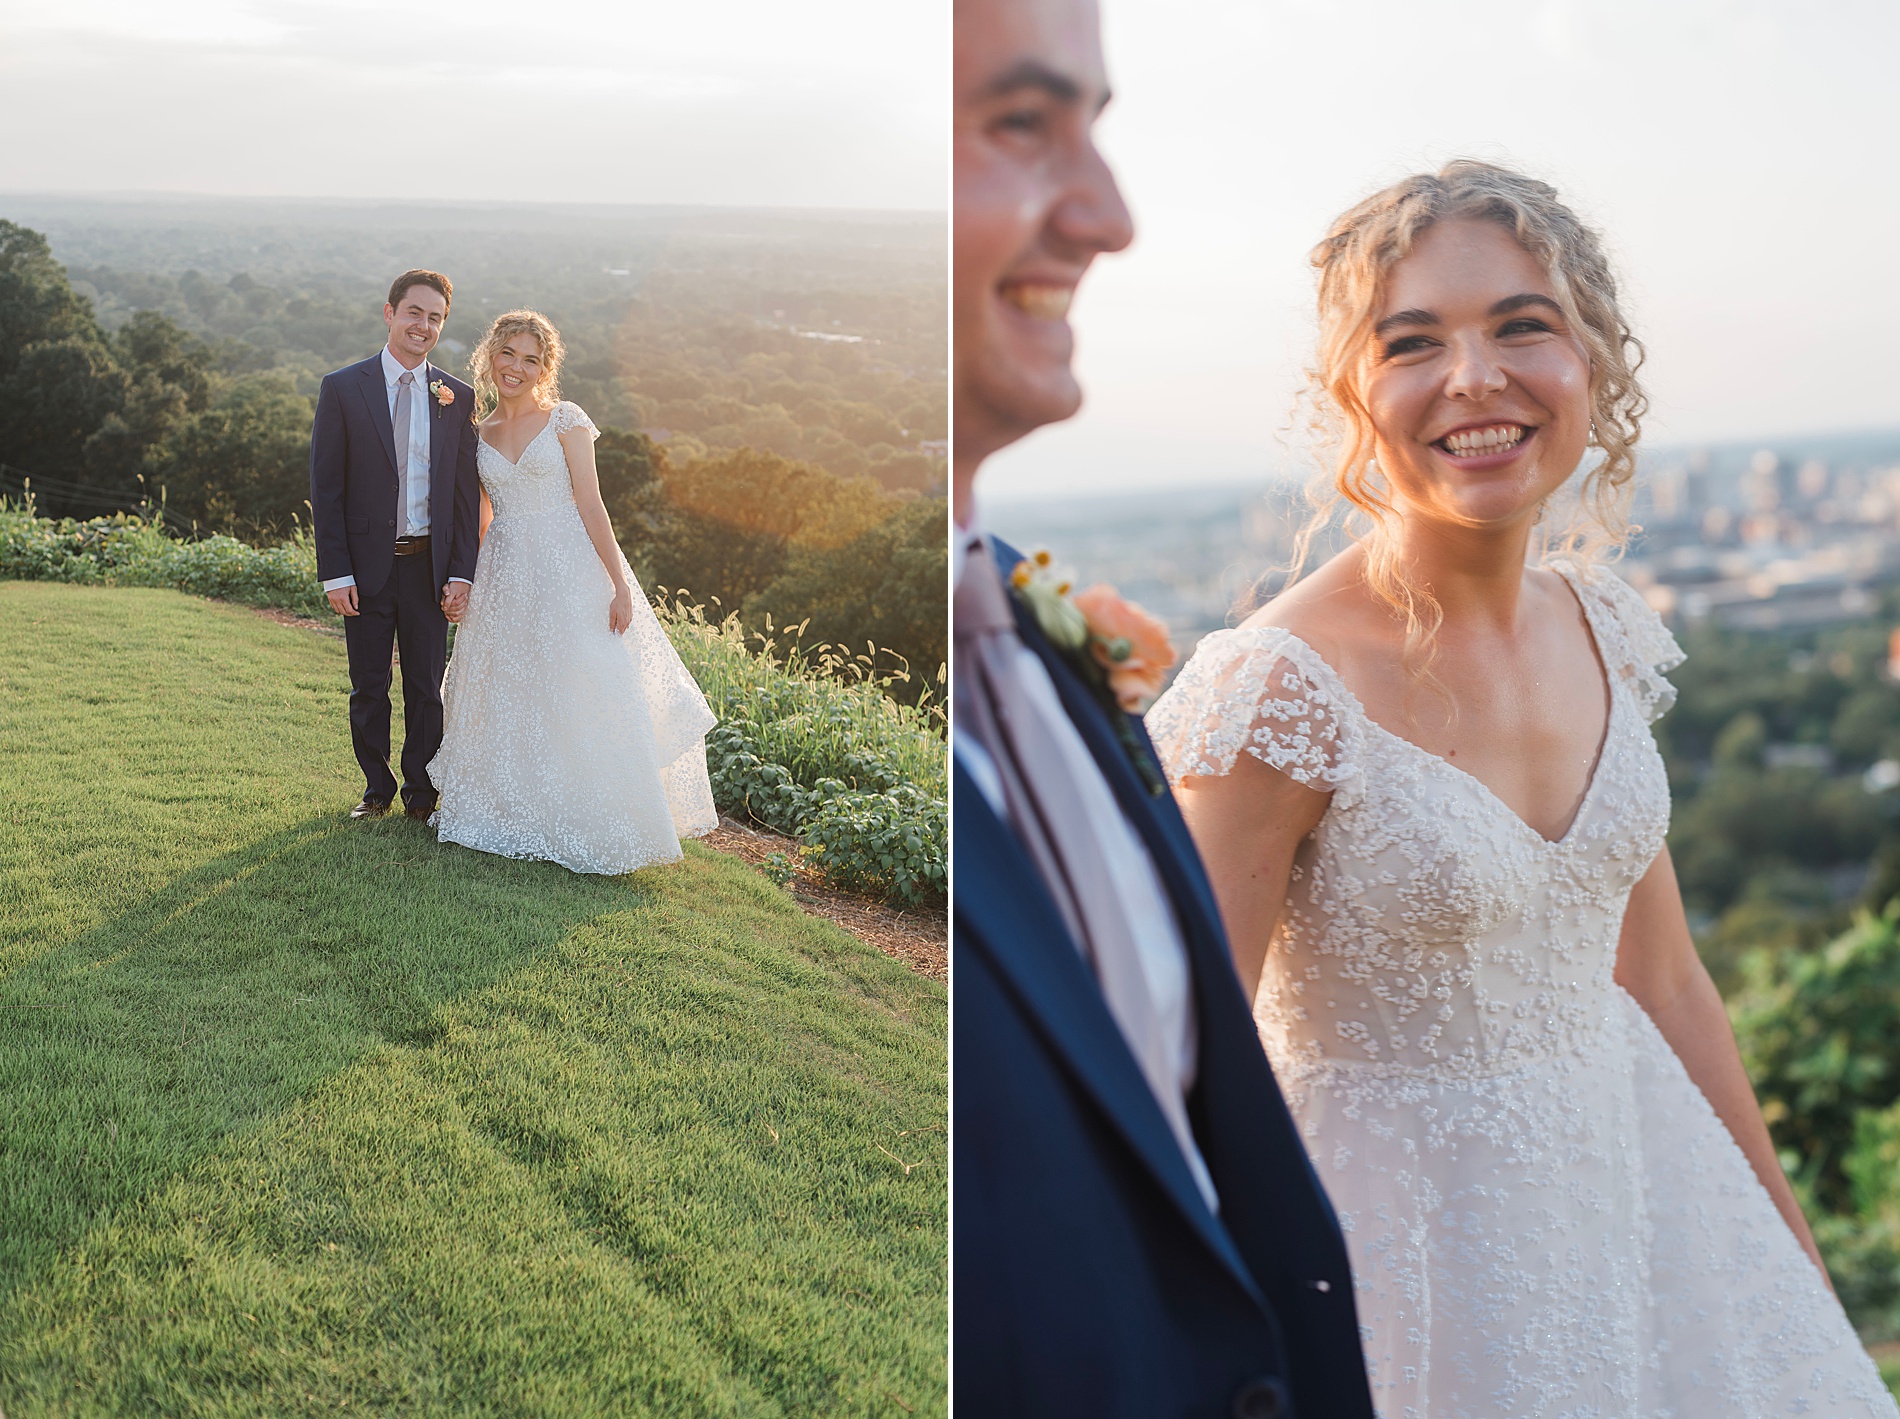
(1120, 651)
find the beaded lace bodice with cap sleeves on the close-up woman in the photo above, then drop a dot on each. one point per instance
(1428, 926)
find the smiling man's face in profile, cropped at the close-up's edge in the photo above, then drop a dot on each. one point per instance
(1035, 206)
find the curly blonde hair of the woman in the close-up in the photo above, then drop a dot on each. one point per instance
(1354, 263)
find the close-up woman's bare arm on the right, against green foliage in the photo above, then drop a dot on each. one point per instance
(1660, 968)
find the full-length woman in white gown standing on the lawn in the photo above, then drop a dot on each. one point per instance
(571, 728)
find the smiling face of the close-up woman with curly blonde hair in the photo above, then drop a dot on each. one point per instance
(1477, 387)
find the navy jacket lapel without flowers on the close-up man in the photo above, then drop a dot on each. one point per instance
(1016, 924)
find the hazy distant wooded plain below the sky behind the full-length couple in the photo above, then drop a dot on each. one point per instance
(816, 339)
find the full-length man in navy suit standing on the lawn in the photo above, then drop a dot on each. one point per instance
(394, 497)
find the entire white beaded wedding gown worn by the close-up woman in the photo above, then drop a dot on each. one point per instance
(1546, 1217)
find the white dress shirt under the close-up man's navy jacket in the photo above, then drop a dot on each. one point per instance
(1145, 901)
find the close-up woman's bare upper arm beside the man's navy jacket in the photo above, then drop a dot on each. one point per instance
(1249, 825)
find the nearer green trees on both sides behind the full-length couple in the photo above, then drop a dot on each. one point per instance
(153, 413)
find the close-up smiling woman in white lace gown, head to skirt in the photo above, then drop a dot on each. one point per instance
(1434, 814)
